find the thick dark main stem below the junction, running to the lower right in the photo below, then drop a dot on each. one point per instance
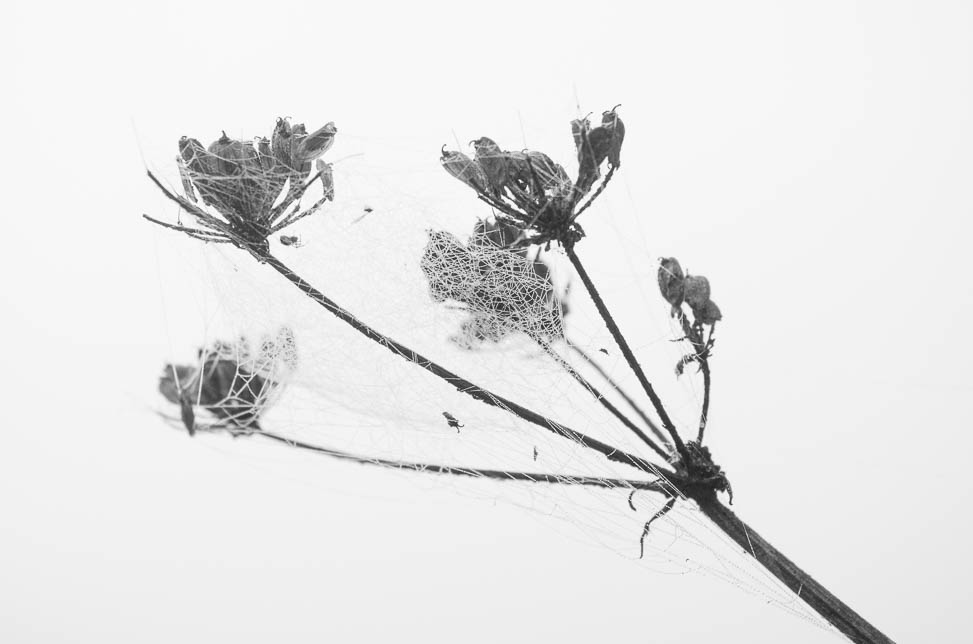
(832, 609)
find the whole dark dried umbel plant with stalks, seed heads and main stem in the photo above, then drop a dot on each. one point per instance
(241, 193)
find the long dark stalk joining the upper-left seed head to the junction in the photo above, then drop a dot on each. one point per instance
(461, 384)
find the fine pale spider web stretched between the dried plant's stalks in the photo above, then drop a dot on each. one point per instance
(427, 273)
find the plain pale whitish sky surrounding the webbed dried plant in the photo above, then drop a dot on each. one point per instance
(816, 159)
